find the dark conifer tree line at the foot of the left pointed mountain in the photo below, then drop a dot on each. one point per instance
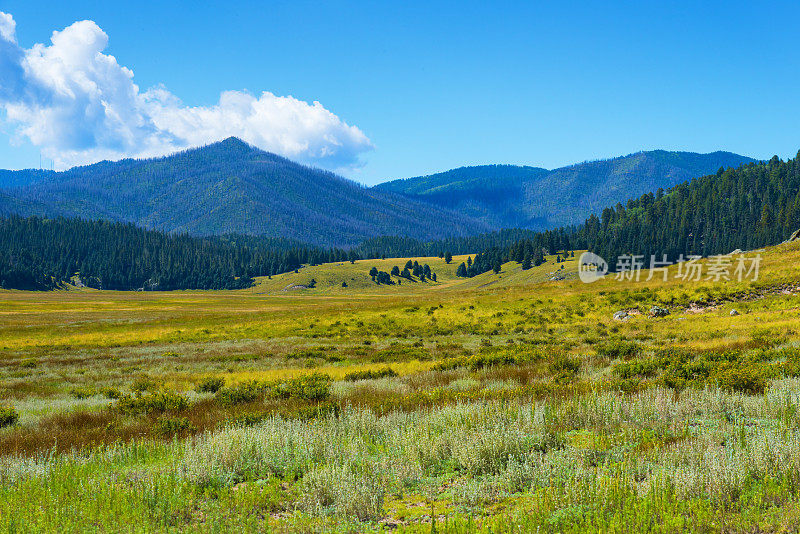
(42, 254)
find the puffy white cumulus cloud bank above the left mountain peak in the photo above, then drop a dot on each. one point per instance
(80, 106)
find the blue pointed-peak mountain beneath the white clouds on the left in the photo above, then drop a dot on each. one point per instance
(230, 187)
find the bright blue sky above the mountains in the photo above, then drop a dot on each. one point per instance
(411, 88)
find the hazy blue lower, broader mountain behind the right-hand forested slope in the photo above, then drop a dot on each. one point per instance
(506, 196)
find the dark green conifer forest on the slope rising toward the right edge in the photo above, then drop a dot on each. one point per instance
(753, 206)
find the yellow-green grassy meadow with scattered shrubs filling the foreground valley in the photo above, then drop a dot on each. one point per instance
(505, 402)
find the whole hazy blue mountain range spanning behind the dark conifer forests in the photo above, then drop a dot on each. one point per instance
(232, 187)
